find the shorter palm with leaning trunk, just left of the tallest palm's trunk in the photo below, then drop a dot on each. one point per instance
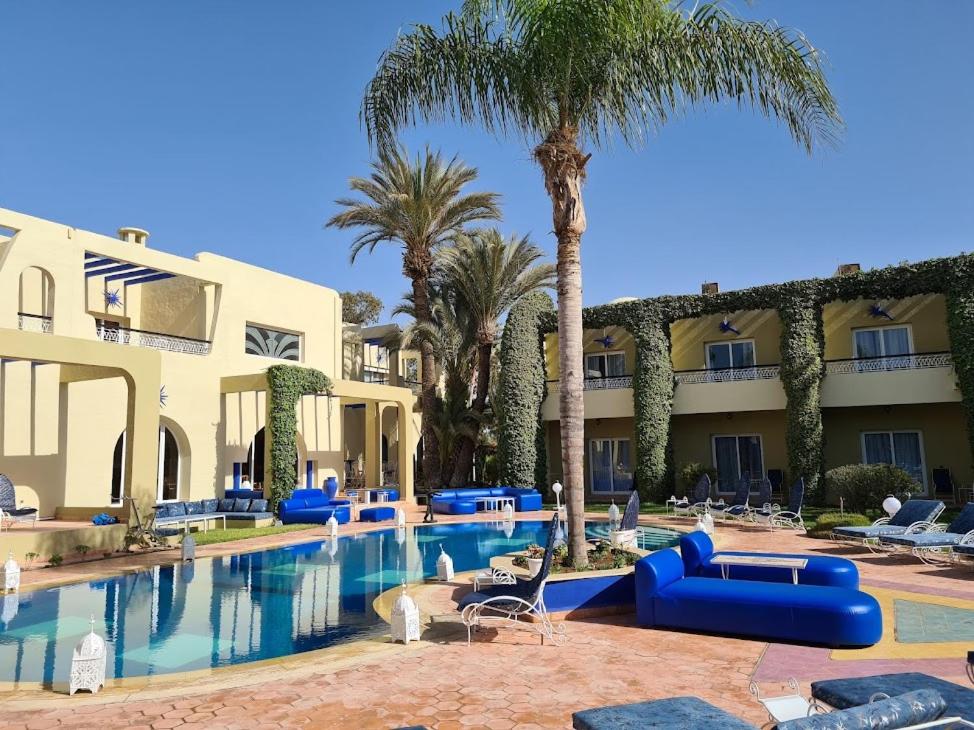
(489, 274)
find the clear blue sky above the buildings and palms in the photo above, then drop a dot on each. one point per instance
(232, 125)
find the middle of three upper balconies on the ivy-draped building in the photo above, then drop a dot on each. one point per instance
(728, 390)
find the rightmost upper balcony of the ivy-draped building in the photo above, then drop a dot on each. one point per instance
(924, 377)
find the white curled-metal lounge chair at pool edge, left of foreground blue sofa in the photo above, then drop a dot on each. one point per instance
(517, 606)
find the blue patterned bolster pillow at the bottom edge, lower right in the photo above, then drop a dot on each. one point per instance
(912, 708)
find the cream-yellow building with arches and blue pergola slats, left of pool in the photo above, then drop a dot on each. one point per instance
(129, 371)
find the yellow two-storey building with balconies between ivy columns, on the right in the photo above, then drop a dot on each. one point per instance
(889, 394)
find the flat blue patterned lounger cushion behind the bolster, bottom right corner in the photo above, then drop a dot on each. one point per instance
(845, 693)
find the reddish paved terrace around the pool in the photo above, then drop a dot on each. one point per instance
(507, 679)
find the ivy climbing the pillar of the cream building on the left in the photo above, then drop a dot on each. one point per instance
(285, 386)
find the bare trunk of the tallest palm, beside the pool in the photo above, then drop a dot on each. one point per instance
(564, 170)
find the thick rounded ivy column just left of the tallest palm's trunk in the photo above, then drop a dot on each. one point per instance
(521, 389)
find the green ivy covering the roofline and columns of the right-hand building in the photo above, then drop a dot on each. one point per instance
(799, 305)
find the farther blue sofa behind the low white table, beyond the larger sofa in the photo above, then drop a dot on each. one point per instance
(697, 551)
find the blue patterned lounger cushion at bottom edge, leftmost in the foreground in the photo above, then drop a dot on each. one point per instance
(677, 713)
